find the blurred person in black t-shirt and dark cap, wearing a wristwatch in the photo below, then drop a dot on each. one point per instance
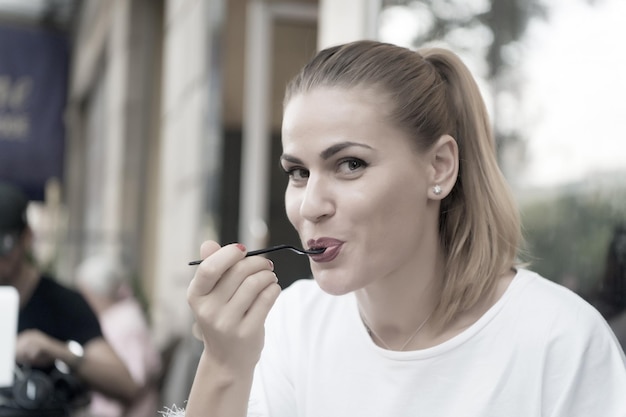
(57, 330)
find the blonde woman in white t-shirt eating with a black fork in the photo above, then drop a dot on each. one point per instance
(417, 305)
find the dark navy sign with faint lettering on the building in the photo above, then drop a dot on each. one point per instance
(33, 91)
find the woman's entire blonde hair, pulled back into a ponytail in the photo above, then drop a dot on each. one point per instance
(432, 94)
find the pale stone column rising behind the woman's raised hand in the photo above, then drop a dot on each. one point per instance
(190, 155)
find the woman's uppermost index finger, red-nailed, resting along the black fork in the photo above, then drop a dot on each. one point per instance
(213, 267)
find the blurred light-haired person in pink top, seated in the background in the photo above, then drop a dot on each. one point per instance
(104, 282)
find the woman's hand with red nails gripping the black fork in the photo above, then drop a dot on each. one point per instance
(230, 296)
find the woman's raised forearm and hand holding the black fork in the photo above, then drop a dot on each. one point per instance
(230, 296)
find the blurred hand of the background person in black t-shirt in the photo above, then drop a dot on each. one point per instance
(36, 348)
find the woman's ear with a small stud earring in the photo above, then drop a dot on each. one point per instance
(444, 164)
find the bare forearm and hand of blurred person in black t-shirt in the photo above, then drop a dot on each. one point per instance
(100, 367)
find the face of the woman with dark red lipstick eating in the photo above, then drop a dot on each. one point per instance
(357, 187)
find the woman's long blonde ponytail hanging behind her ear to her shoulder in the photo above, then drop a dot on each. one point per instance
(479, 221)
